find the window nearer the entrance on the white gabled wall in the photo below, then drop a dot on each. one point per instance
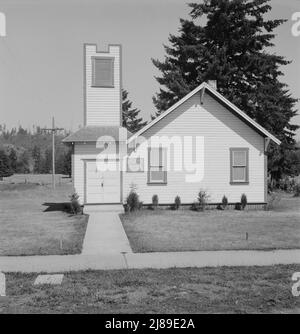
(157, 173)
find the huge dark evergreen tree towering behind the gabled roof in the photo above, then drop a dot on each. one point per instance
(232, 48)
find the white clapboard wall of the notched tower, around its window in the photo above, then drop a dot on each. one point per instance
(103, 103)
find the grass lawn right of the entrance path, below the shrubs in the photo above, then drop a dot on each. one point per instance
(185, 230)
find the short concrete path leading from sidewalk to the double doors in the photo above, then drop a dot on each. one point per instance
(105, 233)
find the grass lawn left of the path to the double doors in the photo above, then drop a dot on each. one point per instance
(33, 220)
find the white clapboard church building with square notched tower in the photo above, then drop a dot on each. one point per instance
(201, 142)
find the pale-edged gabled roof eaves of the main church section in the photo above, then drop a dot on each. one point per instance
(235, 110)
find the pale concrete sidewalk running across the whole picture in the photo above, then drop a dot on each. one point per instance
(65, 263)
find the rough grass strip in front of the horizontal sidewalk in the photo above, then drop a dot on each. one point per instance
(189, 290)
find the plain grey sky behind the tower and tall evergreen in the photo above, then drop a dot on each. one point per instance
(41, 58)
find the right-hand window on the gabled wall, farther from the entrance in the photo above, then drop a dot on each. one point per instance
(239, 165)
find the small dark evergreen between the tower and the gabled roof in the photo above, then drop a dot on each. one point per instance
(130, 118)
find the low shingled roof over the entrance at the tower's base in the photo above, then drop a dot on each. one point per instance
(92, 133)
